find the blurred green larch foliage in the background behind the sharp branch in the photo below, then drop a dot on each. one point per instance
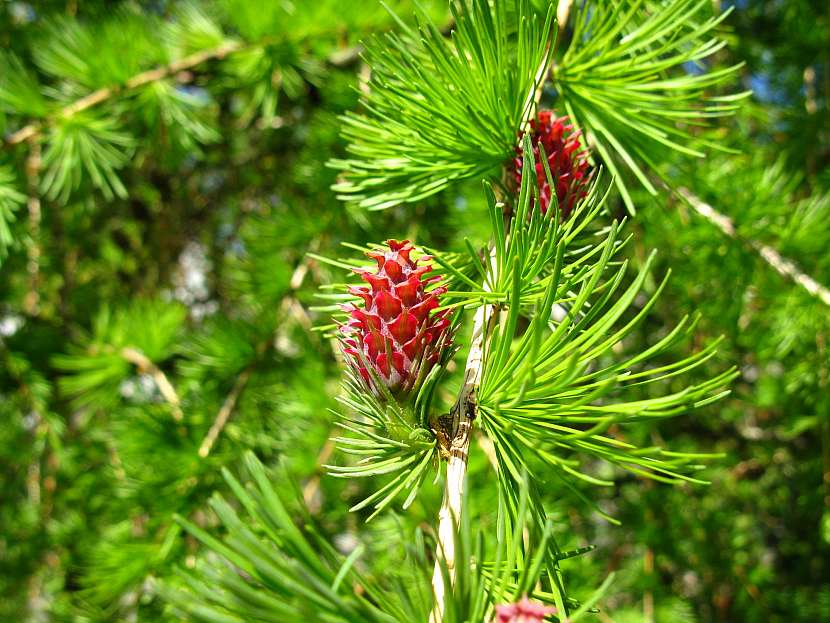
(162, 179)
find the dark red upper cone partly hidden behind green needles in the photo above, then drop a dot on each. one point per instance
(569, 167)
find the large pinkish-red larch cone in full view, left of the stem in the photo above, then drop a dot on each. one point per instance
(393, 331)
